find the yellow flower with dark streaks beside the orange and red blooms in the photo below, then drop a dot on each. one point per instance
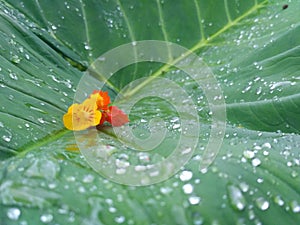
(82, 116)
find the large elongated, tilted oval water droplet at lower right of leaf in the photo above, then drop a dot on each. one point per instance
(236, 198)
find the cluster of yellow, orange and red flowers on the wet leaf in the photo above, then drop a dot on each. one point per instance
(94, 111)
